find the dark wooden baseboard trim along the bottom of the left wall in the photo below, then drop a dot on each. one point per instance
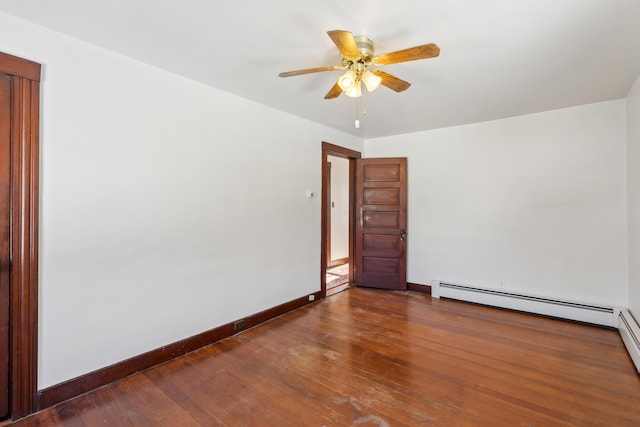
(58, 393)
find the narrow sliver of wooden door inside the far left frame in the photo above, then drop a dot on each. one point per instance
(5, 192)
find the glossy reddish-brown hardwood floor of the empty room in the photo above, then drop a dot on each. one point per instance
(368, 357)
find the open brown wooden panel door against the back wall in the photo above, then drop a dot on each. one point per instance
(381, 223)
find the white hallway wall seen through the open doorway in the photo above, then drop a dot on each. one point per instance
(340, 209)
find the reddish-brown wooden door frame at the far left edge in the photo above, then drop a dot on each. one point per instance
(24, 177)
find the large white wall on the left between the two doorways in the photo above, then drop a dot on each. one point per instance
(163, 213)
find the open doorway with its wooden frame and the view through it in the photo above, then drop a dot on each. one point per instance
(338, 218)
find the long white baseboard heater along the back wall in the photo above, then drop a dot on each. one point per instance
(593, 314)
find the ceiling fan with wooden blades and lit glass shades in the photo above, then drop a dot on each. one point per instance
(357, 57)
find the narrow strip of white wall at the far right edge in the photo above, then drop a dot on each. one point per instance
(633, 195)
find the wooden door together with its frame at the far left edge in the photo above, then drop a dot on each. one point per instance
(19, 183)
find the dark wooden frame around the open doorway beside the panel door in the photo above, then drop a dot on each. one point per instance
(351, 155)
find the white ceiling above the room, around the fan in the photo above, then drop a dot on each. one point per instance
(499, 58)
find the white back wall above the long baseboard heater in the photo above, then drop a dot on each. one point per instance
(535, 202)
